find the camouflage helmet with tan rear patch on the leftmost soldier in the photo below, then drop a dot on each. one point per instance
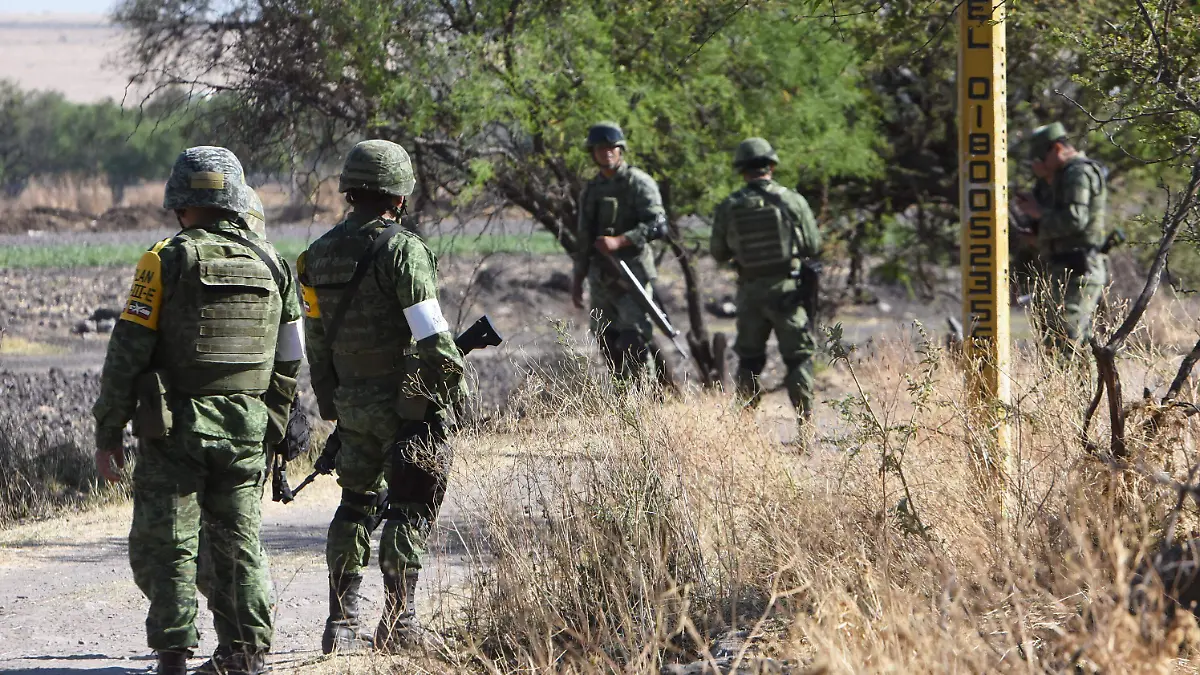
(209, 177)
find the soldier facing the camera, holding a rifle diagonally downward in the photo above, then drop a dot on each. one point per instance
(621, 213)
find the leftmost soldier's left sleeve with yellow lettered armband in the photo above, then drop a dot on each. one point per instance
(133, 344)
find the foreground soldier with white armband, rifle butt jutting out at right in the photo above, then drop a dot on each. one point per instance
(386, 367)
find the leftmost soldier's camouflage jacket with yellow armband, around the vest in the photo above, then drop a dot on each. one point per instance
(141, 343)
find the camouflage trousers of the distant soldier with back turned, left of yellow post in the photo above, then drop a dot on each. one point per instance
(766, 306)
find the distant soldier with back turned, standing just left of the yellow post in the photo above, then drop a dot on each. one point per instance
(769, 232)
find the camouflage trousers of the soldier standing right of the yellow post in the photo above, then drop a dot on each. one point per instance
(1071, 300)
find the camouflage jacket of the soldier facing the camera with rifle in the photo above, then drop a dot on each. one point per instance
(627, 204)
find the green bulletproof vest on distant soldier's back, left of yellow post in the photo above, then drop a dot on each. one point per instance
(761, 238)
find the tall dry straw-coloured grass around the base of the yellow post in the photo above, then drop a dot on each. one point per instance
(626, 535)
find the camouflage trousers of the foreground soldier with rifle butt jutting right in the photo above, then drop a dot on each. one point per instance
(368, 464)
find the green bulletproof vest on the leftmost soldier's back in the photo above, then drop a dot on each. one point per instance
(220, 326)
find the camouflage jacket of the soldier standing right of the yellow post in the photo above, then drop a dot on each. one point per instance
(1073, 216)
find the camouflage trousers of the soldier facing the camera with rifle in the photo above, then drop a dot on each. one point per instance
(625, 331)
